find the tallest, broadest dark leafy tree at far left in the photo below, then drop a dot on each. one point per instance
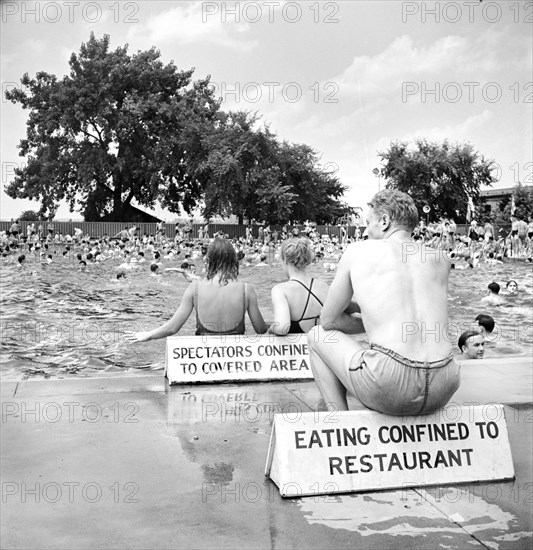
(118, 128)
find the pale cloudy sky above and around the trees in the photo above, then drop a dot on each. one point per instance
(346, 78)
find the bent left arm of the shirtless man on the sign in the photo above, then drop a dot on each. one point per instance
(335, 313)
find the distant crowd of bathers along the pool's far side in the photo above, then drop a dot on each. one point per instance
(480, 244)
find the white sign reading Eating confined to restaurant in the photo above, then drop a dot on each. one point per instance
(355, 451)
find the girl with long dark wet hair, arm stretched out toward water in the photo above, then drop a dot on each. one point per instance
(220, 301)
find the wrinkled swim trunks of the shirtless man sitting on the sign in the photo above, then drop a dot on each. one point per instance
(385, 381)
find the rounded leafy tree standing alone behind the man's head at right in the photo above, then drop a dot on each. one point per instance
(440, 175)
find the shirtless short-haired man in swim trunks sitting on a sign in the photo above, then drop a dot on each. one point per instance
(401, 290)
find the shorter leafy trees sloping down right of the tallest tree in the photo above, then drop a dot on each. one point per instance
(251, 174)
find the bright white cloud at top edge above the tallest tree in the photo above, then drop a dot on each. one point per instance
(194, 23)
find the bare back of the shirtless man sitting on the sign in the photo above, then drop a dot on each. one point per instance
(402, 291)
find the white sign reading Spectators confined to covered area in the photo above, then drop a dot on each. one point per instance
(225, 358)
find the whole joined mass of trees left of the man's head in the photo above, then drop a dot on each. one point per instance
(122, 128)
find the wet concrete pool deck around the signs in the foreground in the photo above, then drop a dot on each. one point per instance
(129, 462)
